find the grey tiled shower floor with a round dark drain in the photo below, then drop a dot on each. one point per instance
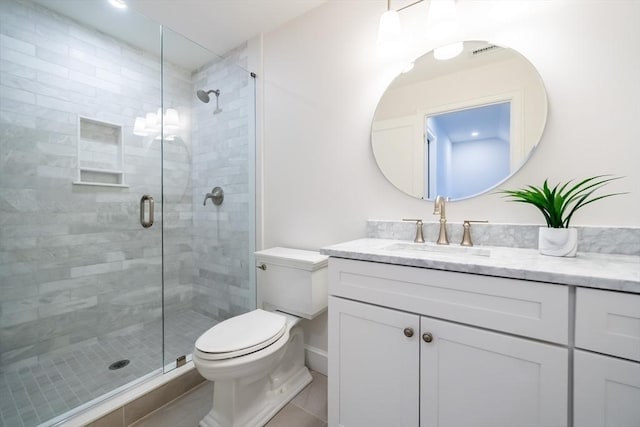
(64, 379)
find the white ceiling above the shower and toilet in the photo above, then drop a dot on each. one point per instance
(216, 26)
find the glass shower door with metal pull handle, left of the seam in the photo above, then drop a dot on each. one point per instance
(80, 265)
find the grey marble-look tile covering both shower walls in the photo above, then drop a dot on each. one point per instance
(74, 258)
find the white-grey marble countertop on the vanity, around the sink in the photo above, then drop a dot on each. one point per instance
(594, 270)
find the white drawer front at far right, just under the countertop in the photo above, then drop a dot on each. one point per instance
(608, 322)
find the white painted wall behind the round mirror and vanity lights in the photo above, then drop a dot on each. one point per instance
(322, 81)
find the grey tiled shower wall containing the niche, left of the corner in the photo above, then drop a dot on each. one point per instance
(74, 261)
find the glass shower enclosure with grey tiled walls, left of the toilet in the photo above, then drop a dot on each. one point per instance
(112, 259)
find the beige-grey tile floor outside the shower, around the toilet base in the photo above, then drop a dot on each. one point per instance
(307, 409)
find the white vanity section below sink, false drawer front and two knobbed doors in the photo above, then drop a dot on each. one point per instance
(419, 347)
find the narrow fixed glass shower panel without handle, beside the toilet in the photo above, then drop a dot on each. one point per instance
(208, 242)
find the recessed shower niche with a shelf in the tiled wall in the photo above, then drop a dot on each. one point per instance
(100, 153)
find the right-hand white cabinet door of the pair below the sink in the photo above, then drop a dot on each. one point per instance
(476, 378)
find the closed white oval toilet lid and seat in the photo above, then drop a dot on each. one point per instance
(241, 335)
